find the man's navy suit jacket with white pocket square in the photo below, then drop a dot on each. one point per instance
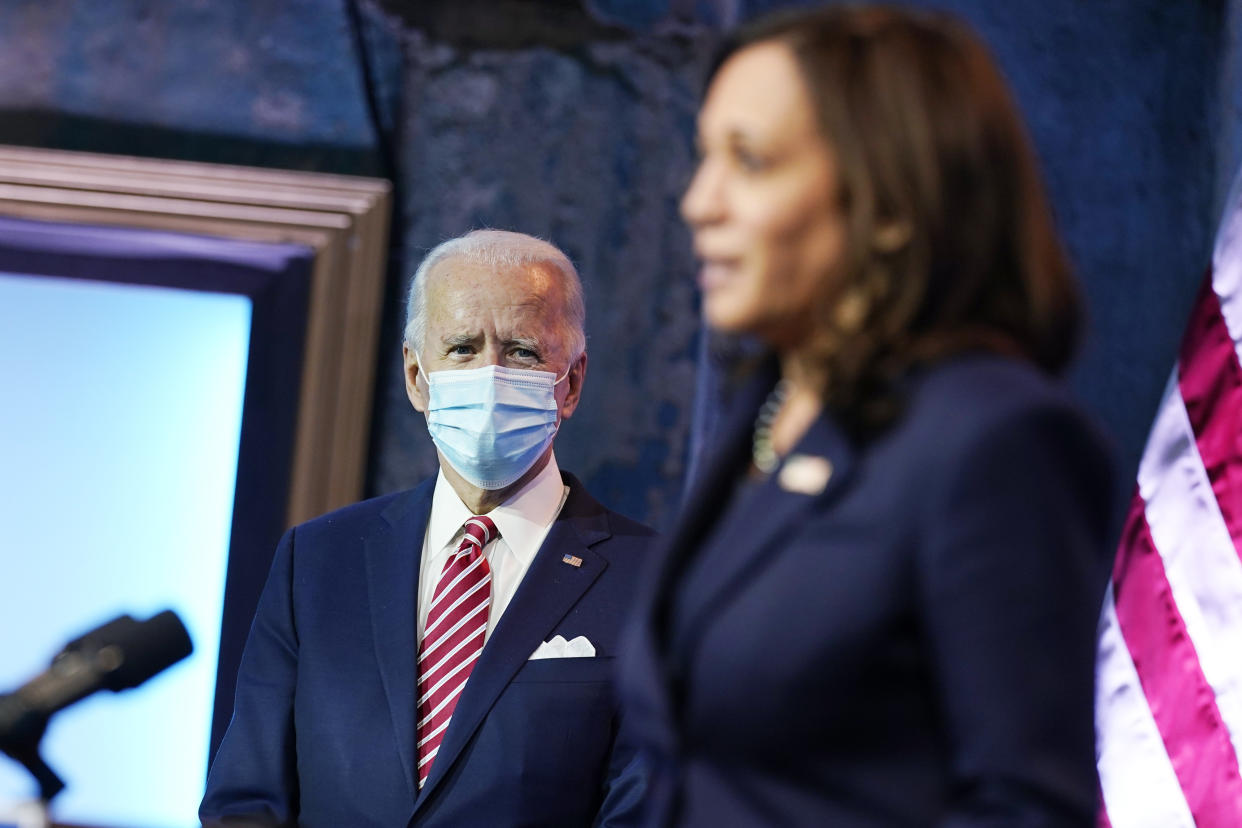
(324, 731)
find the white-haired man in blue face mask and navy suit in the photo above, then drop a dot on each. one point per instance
(444, 656)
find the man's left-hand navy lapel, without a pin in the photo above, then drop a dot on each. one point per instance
(393, 559)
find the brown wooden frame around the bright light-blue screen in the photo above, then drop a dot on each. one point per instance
(343, 219)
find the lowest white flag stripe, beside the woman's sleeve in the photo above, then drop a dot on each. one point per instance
(1136, 775)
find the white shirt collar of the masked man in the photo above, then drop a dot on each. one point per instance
(522, 520)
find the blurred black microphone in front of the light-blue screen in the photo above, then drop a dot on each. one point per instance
(121, 655)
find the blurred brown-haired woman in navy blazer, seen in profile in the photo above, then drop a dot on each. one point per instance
(879, 608)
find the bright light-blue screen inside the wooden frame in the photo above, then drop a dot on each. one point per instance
(121, 415)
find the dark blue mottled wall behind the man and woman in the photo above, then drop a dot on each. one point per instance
(573, 121)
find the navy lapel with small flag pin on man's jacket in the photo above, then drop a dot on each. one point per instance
(548, 592)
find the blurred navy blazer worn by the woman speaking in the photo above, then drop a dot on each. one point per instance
(911, 646)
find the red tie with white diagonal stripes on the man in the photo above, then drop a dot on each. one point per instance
(454, 637)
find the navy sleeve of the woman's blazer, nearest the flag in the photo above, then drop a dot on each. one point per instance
(1012, 579)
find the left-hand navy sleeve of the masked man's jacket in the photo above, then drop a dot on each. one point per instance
(254, 778)
